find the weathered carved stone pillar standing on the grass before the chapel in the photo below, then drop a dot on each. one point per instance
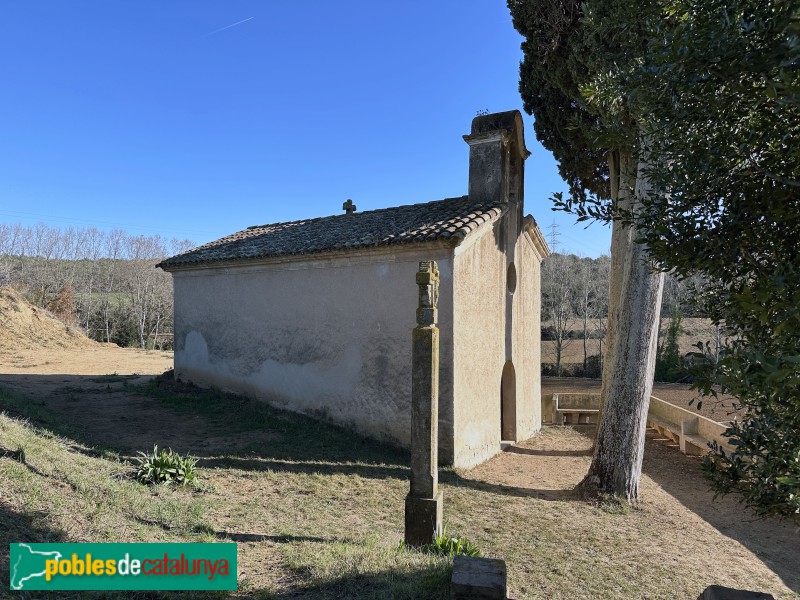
(424, 501)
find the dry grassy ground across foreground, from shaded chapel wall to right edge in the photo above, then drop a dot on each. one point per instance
(317, 512)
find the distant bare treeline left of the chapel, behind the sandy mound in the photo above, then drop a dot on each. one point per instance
(103, 281)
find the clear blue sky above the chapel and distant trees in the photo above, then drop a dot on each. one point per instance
(197, 119)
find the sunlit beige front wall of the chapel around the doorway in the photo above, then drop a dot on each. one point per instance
(490, 326)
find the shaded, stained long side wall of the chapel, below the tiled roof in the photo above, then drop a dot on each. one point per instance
(329, 337)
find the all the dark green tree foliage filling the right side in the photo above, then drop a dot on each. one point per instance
(709, 93)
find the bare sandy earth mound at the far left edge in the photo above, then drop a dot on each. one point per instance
(24, 326)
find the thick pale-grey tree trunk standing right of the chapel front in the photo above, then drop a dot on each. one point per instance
(634, 303)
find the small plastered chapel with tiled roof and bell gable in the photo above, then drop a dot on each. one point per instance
(315, 316)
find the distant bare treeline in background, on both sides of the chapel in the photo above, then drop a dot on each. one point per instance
(106, 282)
